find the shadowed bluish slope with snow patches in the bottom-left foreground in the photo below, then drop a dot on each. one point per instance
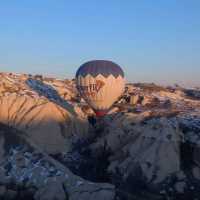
(25, 166)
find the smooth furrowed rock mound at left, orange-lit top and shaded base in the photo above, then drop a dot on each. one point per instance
(47, 123)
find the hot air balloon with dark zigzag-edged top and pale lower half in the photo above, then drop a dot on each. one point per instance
(100, 83)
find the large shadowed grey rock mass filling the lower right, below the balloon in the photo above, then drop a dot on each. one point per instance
(158, 152)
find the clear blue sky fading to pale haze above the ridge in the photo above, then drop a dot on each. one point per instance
(153, 40)
